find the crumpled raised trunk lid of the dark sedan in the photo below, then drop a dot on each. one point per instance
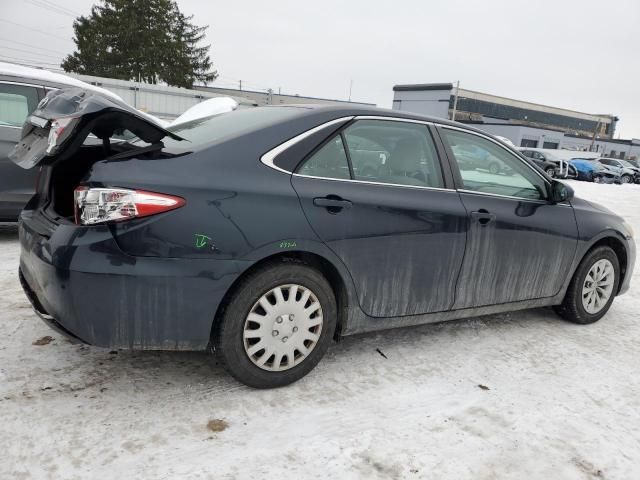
(65, 118)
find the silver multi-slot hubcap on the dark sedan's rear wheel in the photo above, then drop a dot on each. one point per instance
(283, 327)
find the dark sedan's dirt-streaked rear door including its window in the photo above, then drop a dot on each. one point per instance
(376, 194)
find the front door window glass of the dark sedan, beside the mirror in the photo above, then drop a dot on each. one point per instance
(486, 167)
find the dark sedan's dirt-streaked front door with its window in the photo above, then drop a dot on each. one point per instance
(519, 246)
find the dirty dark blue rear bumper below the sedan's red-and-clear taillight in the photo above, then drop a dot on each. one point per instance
(82, 285)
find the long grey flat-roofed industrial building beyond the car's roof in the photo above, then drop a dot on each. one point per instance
(526, 124)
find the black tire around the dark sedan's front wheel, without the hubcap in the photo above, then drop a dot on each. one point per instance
(571, 308)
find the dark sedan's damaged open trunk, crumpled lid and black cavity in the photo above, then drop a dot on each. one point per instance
(71, 130)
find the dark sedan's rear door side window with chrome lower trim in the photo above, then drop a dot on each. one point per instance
(380, 151)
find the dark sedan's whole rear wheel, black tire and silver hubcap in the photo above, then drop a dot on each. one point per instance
(277, 326)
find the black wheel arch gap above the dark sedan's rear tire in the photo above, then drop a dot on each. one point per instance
(313, 260)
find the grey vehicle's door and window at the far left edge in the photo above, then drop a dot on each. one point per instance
(16, 185)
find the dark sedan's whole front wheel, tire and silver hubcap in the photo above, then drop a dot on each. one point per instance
(592, 287)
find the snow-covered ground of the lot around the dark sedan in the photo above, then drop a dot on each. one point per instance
(519, 395)
